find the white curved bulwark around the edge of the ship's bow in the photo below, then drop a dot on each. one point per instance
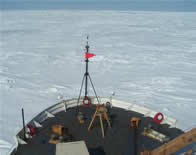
(65, 104)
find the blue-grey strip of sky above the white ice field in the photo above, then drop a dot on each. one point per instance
(136, 5)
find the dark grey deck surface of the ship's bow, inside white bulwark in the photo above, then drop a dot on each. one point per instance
(118, 139)
